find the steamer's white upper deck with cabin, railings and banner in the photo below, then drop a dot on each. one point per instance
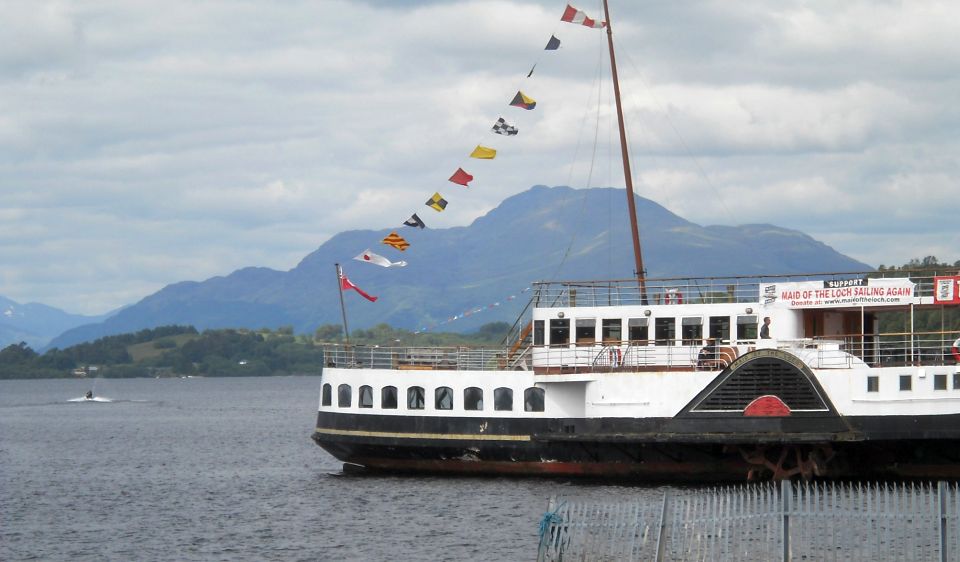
(847, 320)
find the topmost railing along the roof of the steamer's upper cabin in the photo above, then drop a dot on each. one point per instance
(685, 290)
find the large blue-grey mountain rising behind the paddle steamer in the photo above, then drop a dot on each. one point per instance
(542, 233)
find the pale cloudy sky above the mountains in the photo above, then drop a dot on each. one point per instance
(144, 143)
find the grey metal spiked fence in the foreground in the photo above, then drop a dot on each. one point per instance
(787, 521)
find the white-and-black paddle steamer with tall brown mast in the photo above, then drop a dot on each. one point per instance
(720, 378)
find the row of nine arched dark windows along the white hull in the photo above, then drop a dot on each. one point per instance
(443, 398)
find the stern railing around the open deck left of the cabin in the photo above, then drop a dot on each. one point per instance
(417, 358)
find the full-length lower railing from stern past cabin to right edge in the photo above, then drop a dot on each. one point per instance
(828, 352)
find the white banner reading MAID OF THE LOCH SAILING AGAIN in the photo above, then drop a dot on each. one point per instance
(838, 293)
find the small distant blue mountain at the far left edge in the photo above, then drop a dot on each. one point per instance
(36, 324)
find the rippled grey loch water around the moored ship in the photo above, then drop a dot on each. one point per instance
(224, 469)
